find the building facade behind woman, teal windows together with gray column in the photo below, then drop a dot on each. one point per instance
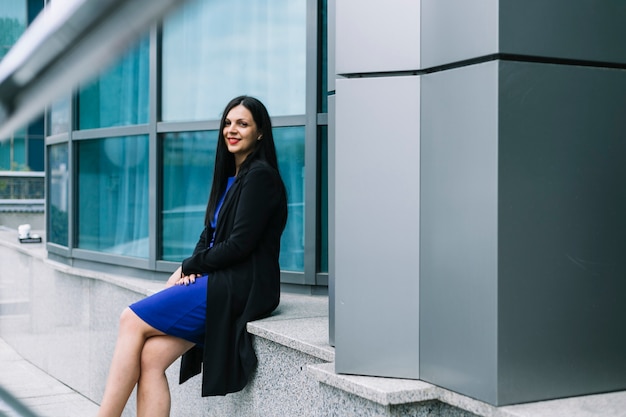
(453, 168)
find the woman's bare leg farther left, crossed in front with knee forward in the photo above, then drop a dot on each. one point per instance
(125, 366)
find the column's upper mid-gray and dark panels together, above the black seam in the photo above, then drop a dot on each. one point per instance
(456, 30)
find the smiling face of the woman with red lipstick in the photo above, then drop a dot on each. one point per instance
(240, 133)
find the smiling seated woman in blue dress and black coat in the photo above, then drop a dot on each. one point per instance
(231, 278)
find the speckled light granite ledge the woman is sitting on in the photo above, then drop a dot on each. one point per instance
(64, 320)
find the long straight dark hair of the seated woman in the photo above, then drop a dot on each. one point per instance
(225, 161)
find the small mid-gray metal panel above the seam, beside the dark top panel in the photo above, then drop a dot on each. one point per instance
(456, 30)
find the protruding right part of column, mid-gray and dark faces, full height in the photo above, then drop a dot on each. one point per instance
(522, 225)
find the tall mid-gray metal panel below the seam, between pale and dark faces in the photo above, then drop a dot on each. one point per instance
(458, 245)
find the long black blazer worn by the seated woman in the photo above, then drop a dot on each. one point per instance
(244, 277)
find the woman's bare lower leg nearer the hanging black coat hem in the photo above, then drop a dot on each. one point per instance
(153, 394)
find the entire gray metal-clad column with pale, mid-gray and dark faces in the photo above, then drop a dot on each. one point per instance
(514, 141)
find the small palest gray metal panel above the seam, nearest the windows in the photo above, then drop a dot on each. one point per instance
(377, 36)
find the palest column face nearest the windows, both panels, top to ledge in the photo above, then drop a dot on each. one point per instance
(376, 199)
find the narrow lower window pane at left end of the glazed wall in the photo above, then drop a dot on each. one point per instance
(58, 191)
